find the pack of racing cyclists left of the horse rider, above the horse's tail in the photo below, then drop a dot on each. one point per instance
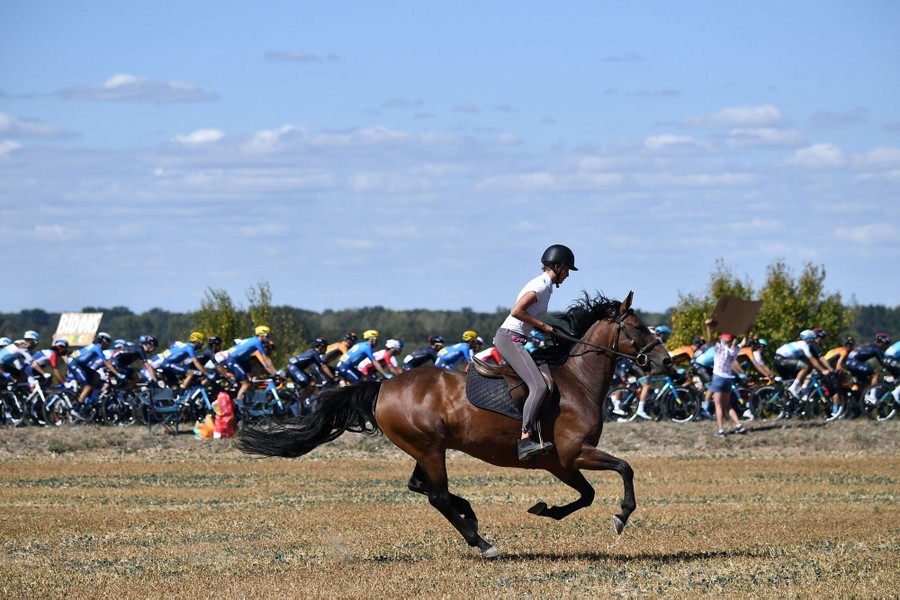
(204, 359)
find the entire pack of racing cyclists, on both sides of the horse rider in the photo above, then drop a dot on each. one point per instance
(349, 361)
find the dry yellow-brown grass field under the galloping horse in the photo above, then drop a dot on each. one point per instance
(803, 511)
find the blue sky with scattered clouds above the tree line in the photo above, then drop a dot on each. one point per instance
(417, 156)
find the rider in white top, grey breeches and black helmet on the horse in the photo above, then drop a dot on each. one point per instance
(532, 301)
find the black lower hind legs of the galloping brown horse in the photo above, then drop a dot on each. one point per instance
(455, 509)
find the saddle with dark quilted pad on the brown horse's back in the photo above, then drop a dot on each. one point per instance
(498, 388)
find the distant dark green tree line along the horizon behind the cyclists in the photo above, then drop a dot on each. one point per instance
(789, 304)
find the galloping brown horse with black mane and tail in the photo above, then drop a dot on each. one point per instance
(425, 412)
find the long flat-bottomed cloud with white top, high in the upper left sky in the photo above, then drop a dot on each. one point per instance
(129, 88)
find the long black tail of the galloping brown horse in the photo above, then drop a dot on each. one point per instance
(339, 410)
